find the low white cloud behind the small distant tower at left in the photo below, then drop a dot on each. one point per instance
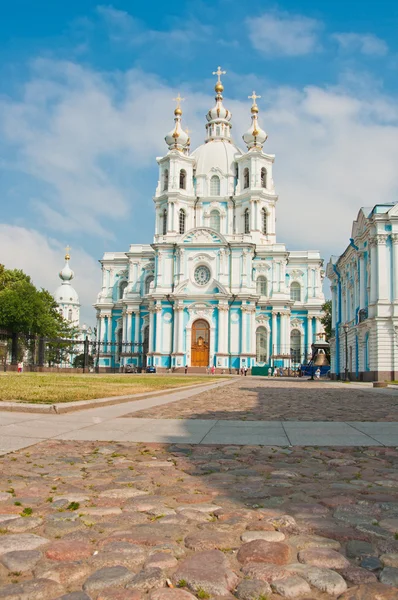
(42, 258)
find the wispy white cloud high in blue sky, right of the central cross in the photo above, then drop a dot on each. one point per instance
(285, 34)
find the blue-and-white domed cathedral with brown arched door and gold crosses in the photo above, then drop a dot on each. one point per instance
(215, 288)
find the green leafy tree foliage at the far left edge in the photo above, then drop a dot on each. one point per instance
(26, 310)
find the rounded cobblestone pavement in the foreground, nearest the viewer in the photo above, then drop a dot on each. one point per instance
(122, 521)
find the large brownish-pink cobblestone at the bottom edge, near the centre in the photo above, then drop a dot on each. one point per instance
(209, 570)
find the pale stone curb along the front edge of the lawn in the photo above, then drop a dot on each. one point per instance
(66, 407)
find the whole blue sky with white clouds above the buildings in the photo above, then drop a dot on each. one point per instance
(86, 98)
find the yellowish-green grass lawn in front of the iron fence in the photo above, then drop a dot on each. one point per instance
(46, 388)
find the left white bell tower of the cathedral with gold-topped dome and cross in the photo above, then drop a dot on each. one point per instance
(175, 193)
